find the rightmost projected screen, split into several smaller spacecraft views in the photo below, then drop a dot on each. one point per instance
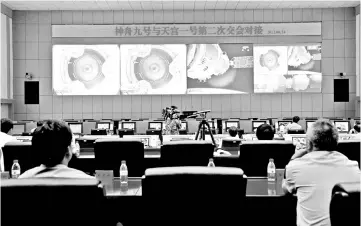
(282, 69)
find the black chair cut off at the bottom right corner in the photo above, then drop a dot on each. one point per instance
(345, 204)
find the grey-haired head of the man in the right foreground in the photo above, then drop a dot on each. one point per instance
(322, 135)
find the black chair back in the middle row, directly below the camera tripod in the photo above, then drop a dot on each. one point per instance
(186, 153)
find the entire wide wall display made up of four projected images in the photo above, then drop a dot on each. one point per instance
(148, 69)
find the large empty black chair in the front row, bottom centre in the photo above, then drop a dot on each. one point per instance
(194, 195)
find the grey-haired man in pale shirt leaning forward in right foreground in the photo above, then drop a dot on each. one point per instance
(314, 171)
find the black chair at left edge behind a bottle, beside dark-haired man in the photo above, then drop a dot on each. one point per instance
(22, 151)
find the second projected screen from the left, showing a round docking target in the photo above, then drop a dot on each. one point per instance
(153, 69)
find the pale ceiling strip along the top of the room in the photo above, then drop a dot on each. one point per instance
(172, 5)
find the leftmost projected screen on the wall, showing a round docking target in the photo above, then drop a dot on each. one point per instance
(86, 70)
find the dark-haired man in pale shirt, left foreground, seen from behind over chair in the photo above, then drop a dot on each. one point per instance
(52, 143)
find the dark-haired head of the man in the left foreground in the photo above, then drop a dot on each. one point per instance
(52, 143)
